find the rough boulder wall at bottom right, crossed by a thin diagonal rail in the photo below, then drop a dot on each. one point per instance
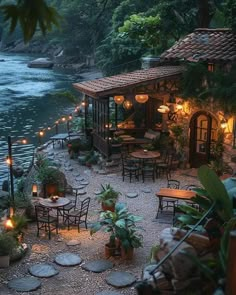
(178, 273)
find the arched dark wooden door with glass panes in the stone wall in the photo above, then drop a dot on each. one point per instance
(203, 134)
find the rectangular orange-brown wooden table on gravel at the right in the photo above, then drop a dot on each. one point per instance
(177, 194)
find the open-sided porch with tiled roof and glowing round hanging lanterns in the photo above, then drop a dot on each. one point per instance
(129, 102)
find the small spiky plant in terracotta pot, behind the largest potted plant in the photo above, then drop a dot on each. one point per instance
(107, 197)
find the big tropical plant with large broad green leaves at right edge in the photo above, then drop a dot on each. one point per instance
(221, 220)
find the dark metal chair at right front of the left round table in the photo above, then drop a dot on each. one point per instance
(78, 216)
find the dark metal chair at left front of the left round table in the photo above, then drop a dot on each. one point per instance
(45, 221)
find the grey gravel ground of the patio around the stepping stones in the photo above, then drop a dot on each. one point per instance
(75, 280)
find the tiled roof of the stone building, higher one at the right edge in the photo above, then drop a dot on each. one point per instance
(211, 45)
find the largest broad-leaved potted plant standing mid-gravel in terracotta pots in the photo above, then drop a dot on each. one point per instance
(122, 228)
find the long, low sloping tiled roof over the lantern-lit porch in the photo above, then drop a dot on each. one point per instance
(119, 83)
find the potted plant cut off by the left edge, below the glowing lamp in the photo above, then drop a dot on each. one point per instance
(7, 244)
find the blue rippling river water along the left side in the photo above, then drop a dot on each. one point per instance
(28, 103)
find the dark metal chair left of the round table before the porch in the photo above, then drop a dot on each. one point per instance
(130, 168)
